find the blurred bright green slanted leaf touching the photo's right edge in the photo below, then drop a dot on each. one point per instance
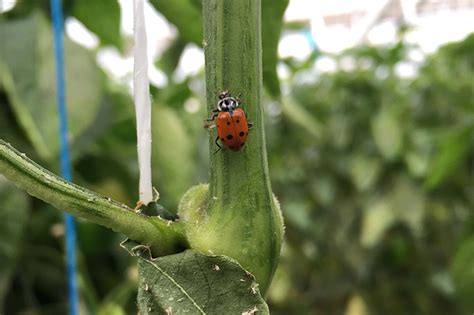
(453, 149)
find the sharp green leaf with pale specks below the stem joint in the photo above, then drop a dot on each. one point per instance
(193, 283)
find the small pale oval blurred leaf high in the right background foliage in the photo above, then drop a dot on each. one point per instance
(387, 133)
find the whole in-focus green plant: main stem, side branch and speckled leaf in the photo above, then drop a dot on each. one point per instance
(237, 216)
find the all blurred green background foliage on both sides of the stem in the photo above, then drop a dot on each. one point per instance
(374, 171)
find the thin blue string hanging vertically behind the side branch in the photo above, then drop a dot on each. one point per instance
(56, 11)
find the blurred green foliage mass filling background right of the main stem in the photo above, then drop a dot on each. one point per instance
(377, 191)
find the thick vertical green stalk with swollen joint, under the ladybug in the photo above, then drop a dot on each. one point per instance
(241, 220)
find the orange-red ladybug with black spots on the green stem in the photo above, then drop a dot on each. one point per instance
(231, 122)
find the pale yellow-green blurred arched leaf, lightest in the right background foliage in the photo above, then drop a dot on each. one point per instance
(404, 203)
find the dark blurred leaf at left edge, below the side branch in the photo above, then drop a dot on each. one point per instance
(14, 208)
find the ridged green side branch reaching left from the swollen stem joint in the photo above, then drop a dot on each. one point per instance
(164, 237)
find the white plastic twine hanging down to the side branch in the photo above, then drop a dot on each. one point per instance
(142, 103)
